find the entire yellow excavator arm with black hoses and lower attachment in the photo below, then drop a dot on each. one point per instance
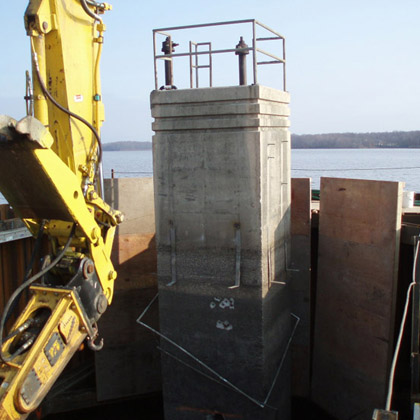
(50, 173)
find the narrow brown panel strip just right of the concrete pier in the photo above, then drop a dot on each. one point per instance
(300, 283)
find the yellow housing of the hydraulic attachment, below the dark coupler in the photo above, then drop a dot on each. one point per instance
(27, 378)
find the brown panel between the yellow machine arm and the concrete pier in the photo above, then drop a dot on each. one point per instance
(129, 363)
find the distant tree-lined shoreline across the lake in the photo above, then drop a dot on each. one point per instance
(387, 140)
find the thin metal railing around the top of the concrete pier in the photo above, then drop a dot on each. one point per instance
(194, 53)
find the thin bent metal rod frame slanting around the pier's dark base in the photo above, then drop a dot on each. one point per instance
(217, 376)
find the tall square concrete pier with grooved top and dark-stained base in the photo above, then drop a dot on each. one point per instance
(222, 199)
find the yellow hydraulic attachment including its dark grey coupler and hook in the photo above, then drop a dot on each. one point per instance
(46, 335)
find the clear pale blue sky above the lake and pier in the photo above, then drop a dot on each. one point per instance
(352, 66)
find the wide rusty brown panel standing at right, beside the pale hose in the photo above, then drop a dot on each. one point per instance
(359, 230)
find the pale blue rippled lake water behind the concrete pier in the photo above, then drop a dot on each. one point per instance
(378, 164)
